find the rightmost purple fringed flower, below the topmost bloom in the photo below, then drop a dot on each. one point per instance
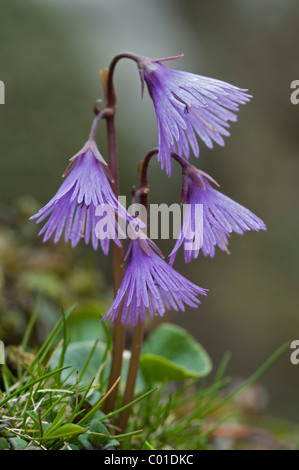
(220, 217)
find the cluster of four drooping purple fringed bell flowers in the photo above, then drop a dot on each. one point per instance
(188, 107)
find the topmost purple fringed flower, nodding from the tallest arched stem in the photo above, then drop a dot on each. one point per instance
(187, 104)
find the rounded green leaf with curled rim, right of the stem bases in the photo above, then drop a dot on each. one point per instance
(171, 353)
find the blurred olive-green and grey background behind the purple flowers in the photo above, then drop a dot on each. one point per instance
(50, 54)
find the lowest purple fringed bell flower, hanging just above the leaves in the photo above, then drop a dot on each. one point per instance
(149, 283)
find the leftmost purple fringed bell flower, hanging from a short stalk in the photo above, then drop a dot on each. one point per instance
(73, 208)
